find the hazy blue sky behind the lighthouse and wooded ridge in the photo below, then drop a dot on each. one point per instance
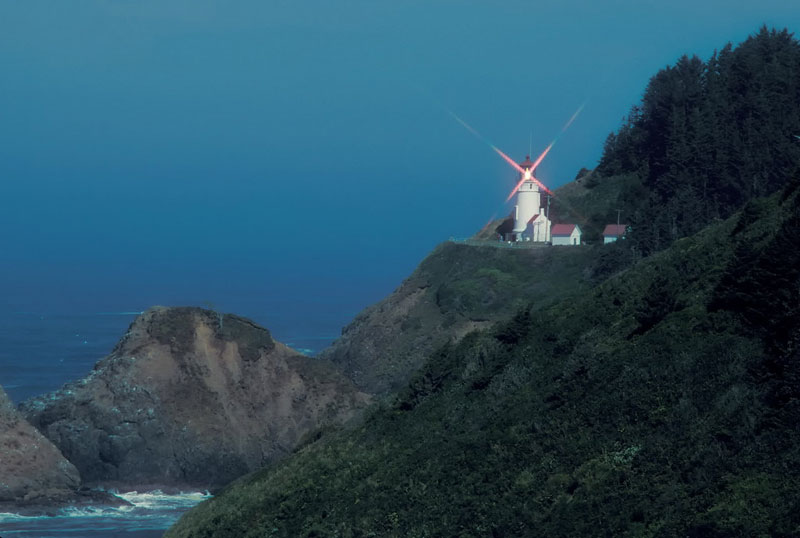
(293, 160)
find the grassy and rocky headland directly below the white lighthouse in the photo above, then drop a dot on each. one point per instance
(456, 289)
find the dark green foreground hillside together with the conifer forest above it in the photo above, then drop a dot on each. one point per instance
(662, 401)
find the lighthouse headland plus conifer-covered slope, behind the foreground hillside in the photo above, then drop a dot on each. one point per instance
(706, 137)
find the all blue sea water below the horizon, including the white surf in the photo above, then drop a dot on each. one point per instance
(40, 351)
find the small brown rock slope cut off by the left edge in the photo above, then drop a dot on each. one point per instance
(31, 468)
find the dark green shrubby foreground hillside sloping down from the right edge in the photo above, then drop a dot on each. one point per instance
(664, 402)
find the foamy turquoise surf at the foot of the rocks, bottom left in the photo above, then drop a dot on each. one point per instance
(148, 516)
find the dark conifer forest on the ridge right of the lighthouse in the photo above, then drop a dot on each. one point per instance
(706, 138)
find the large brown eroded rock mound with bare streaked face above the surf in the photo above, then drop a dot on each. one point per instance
(190, 397)
